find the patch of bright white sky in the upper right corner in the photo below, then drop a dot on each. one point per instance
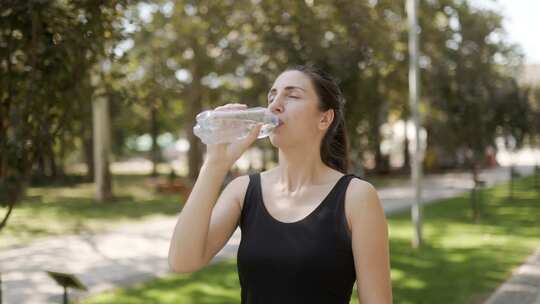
(522, 23)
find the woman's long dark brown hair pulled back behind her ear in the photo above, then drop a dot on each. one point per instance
(335, 143)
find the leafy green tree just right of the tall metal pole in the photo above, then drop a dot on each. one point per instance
(472, 99)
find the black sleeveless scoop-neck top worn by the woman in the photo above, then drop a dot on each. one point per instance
(307, 261)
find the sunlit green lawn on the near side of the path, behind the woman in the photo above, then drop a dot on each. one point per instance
(461, 261)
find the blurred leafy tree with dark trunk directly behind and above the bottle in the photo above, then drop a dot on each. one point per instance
(189, 53)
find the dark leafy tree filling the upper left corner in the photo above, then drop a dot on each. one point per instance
(47, 49)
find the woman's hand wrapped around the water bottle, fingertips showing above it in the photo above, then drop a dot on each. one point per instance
(226, 154)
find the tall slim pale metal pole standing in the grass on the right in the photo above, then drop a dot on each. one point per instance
(414, 86)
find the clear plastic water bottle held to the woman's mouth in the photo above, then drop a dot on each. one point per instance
(226, 126)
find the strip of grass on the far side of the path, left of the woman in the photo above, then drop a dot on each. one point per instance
(60, 210)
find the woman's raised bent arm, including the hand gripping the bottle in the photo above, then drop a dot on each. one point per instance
(204, 225)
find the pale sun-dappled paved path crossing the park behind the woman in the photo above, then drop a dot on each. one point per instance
(137, 252)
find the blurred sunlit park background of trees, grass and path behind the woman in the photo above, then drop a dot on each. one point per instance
(98, 100)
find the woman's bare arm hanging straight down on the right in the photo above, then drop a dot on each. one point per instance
(370, 244)
